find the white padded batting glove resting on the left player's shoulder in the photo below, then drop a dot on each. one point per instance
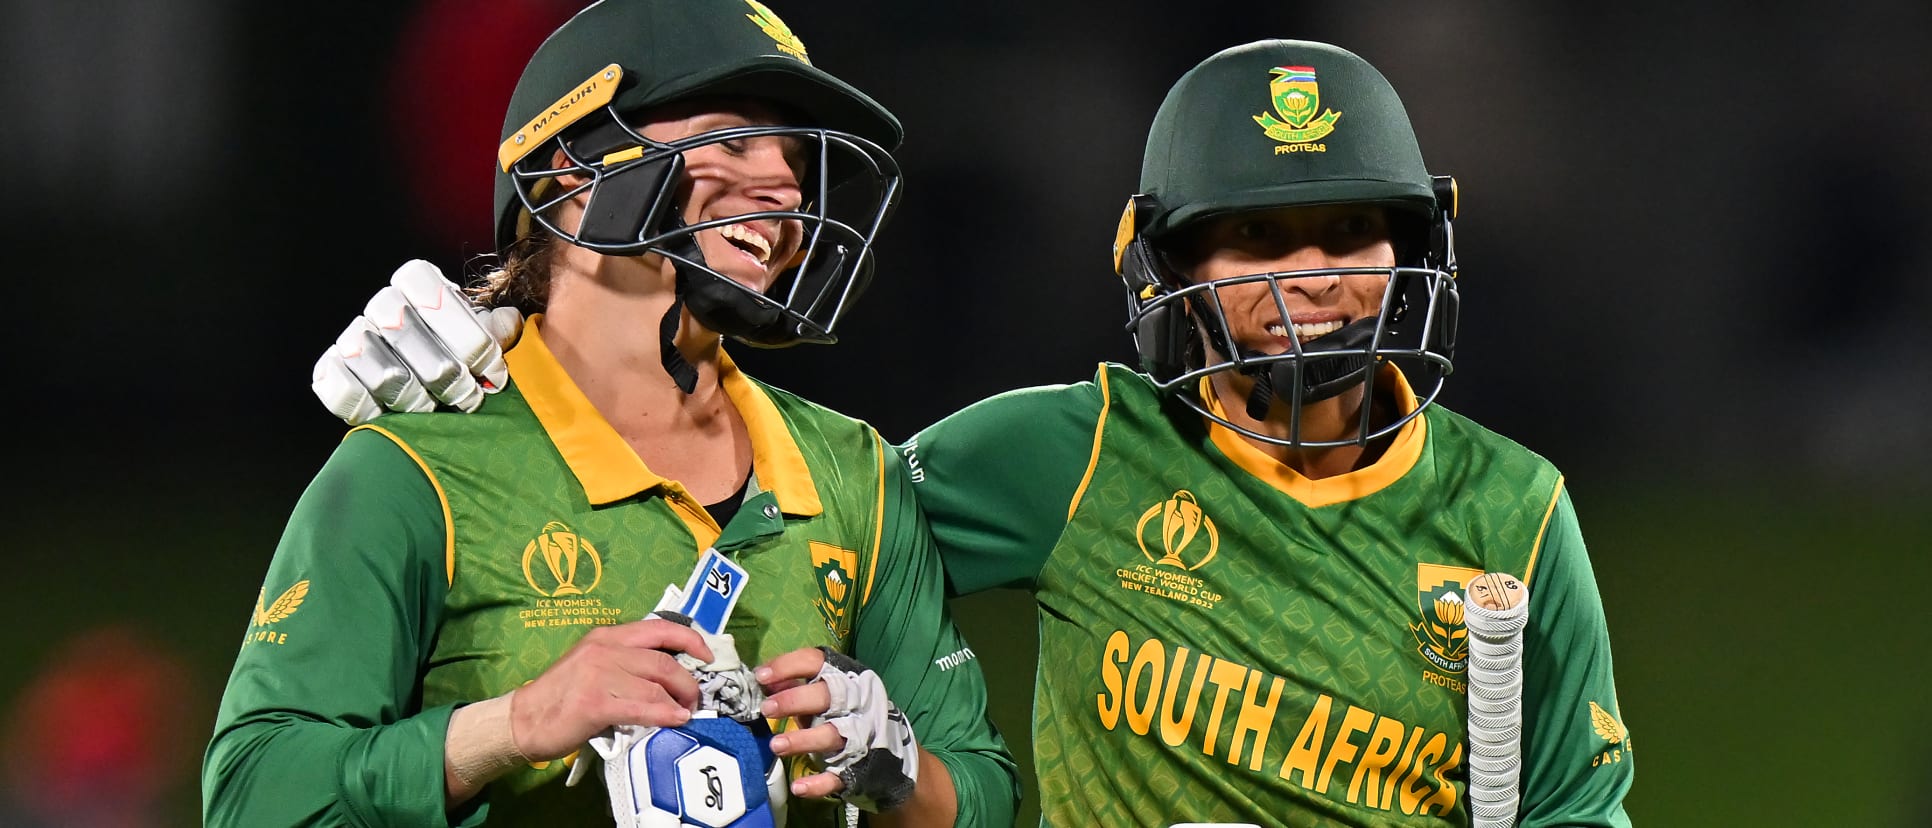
(420, 343)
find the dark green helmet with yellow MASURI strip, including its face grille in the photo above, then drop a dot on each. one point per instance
(590, 82)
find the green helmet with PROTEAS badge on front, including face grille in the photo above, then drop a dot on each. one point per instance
(1288, 124)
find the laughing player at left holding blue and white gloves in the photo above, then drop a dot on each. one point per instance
(463, 603)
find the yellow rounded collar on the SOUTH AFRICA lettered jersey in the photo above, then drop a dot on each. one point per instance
(1328, 491)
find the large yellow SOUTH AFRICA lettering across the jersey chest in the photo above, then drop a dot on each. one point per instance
(1164, 692)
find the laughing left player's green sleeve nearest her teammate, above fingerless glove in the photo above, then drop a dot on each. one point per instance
(907, 636)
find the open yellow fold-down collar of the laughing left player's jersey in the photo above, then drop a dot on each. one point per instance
(608, 468)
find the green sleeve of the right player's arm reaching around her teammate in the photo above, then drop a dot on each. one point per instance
(1000, 478)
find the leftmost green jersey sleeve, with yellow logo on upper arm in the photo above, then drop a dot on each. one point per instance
(320, 719)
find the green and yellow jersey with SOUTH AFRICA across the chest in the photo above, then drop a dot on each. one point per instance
(1228, 642)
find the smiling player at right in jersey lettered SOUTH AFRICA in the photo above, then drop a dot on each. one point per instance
(1255, 555)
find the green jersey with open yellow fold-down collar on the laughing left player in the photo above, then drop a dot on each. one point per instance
(447, 559)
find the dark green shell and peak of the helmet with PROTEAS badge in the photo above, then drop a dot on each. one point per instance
(1280, 124)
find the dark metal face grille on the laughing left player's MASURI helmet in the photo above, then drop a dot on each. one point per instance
(631, 207)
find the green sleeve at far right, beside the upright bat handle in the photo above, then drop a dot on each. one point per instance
(1577, 761)
